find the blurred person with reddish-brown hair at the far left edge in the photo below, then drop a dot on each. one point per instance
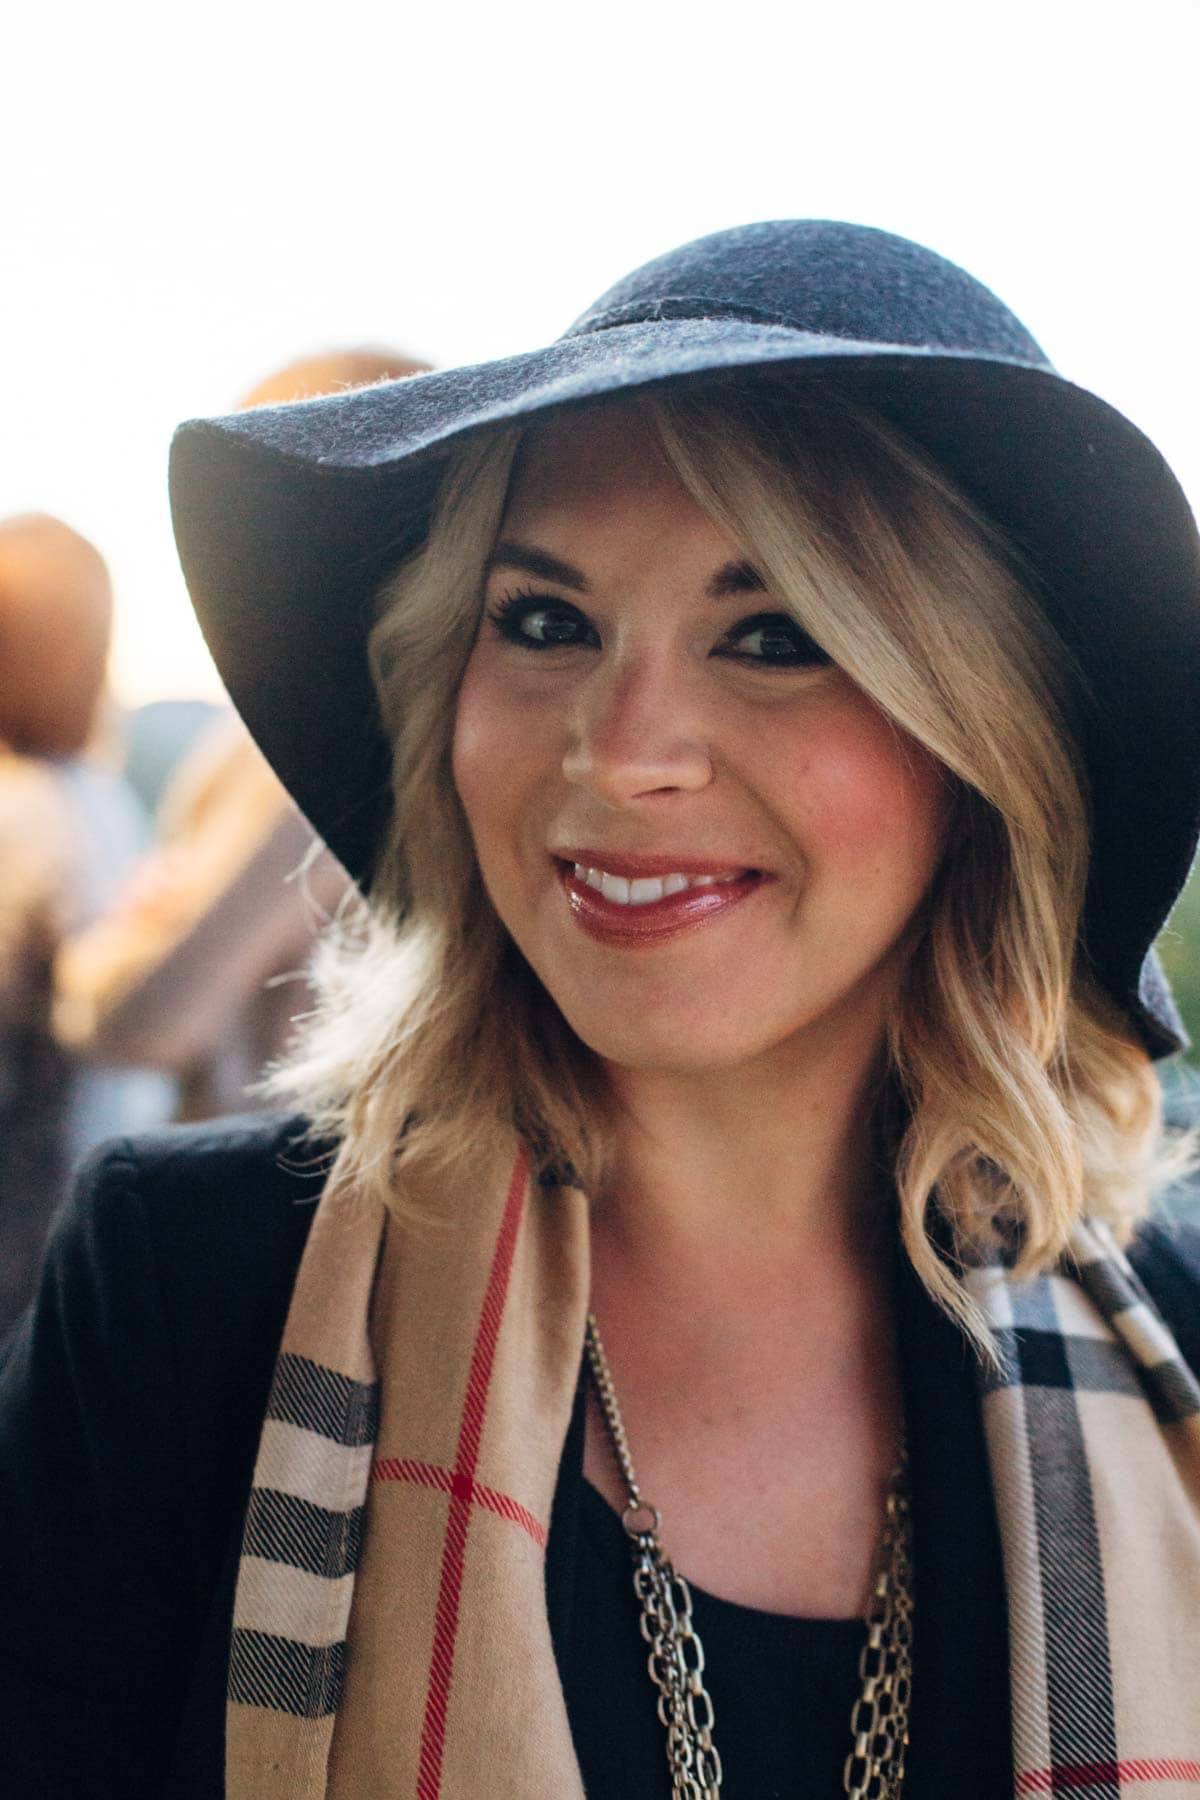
(69, 834)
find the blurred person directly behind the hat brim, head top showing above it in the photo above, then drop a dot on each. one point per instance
(199, 967)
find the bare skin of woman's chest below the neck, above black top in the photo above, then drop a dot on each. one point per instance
(764, 1430)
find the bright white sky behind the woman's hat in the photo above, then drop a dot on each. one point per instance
(195, 195)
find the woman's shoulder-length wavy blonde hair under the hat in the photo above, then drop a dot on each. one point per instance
(1017, 1097)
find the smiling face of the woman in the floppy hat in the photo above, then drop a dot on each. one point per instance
(704, 838)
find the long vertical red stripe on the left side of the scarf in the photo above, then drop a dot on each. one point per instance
(461, 1491)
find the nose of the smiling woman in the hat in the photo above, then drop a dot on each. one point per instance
(636, 737)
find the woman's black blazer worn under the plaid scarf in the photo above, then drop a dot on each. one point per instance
(130, 1410)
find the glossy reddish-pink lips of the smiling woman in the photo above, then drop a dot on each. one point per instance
(650, 926)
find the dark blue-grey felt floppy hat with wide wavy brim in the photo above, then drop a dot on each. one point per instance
(291, 517)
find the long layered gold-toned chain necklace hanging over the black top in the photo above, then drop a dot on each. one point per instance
(875, 1767)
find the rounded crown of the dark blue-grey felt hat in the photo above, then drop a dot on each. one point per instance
(825, 278)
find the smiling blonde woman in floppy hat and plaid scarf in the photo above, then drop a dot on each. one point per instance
(739, 1086)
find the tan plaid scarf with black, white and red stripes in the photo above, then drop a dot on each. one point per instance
(409, 1459)
